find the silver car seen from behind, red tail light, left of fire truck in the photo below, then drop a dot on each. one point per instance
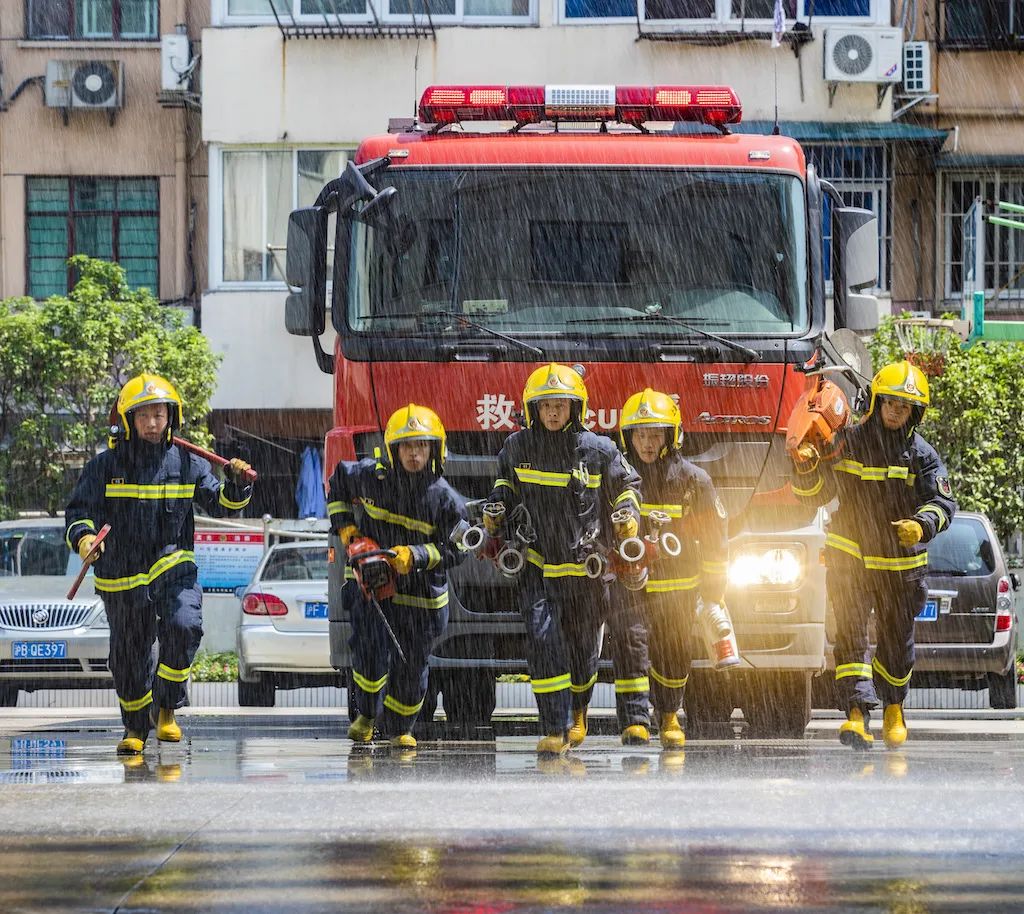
(283, 640)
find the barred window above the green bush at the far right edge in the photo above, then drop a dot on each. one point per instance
(1004, 247)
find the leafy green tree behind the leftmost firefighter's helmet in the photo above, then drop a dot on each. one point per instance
(62, 365)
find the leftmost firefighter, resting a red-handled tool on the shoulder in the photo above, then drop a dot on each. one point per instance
(144, 487)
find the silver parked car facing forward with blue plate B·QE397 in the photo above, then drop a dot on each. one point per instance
(47, 641)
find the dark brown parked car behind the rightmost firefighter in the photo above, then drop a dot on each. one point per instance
(968, 635)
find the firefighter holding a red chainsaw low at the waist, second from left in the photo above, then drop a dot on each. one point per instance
(404, 505)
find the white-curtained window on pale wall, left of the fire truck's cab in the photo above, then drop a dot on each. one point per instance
(261, 190)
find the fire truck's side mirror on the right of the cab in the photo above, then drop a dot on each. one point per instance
(856, 248)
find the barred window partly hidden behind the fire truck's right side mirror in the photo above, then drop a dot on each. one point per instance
(863, 176)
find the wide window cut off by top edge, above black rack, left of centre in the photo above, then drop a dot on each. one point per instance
(317, 12)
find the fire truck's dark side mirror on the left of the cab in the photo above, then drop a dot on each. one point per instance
(306, 272)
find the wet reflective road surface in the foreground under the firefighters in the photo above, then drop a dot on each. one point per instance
(276, 813)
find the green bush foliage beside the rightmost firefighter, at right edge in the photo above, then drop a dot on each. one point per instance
(976, 421)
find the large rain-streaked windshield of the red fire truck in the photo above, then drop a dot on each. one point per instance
(531, 251)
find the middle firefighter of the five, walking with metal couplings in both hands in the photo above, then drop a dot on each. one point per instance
(571, 482)
